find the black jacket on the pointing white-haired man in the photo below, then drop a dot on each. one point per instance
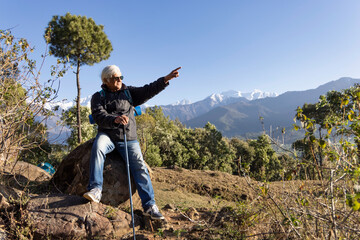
(105, 109)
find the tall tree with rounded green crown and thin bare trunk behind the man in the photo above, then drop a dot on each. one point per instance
(80, 41)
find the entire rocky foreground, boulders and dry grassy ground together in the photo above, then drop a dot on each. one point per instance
(196, 205)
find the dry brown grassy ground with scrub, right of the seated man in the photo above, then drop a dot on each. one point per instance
(200, 204)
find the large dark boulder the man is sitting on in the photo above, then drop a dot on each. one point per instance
(72, 176)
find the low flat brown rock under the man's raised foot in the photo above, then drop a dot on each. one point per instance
(60, 216)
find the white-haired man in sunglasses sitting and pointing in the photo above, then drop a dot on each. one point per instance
(113, 111)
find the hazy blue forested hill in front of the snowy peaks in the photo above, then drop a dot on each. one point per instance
(241, 118)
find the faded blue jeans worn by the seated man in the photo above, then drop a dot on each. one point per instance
(102, 146)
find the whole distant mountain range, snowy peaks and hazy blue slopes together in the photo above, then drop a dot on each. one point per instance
(233, 113)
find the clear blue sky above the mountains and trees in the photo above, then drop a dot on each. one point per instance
(271, 45)
